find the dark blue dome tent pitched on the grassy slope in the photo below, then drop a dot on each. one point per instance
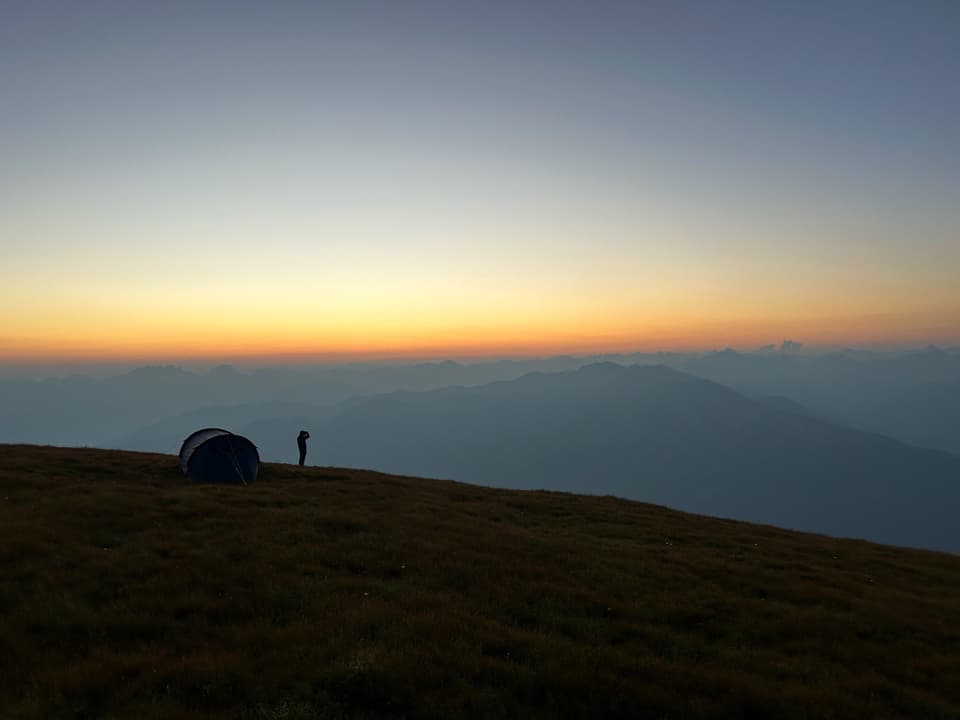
(213, 455)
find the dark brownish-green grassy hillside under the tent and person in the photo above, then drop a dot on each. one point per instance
(125, 591)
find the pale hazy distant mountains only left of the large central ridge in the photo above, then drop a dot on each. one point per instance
(122, 410)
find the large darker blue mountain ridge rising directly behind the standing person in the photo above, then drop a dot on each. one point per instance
(650, 433)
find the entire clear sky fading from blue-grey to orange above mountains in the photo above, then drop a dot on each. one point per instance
(230, 178)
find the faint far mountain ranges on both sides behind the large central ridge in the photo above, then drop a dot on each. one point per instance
(912, 396)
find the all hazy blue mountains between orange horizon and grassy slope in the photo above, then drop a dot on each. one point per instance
(770, 436)
